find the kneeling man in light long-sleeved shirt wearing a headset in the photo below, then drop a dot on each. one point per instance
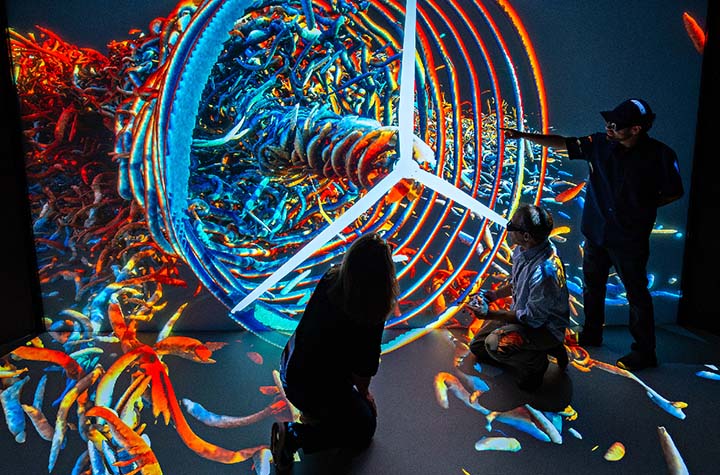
(535, 324)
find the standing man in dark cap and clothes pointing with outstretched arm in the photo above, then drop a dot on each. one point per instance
(630, 176)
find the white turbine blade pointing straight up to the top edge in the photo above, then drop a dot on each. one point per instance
(406, 112)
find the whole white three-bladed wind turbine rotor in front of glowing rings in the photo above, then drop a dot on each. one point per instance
(405, 168)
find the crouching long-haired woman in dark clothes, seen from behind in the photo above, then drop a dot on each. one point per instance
(327, 364)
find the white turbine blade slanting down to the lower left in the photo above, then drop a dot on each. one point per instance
(361, 206)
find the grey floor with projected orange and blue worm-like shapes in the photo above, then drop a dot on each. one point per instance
(438, 412)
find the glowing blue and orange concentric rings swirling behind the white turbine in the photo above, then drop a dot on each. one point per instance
(235, 209)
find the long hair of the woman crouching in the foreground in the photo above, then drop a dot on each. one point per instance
(367, 287)
